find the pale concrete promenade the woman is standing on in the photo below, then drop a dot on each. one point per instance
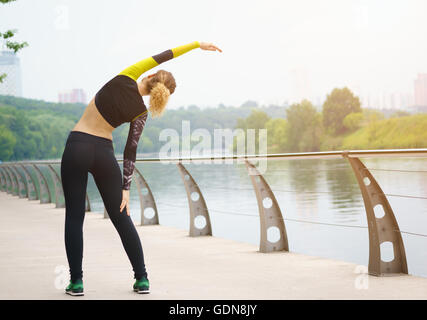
(179, 267)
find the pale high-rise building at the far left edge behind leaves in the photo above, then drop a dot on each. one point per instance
(9, 64)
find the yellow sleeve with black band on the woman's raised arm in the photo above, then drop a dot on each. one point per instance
(135, 70)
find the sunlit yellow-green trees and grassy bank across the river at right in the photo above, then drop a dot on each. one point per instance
(341, 124)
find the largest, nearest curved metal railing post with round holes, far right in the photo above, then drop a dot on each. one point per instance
(382, 224)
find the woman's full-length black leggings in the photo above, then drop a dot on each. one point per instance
(85, 153)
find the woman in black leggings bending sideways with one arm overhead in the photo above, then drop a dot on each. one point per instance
(89, 148)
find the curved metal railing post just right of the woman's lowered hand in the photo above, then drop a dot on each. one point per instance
(146, 200)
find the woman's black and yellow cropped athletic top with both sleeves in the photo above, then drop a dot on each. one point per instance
(119, 101)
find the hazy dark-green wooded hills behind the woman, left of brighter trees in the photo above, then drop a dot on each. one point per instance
(36, 129)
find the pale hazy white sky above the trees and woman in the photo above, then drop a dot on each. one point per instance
(371, 45)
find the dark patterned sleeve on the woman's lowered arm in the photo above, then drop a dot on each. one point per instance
(129, 155)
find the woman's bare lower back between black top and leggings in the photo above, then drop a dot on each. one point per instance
(93, 123)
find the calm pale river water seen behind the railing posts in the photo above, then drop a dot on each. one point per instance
(318, 191)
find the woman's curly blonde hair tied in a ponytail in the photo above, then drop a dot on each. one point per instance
(160, 86)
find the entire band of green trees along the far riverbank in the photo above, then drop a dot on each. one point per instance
(35, 129)
